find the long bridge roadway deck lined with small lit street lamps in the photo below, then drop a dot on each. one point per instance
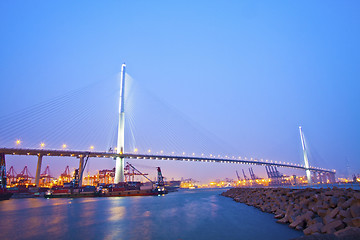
(93, 154)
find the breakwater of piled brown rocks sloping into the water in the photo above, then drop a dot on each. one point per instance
(335, 212)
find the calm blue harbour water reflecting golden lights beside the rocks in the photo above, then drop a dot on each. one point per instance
(187, 214)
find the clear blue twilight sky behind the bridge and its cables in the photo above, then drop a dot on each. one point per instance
(249, 72)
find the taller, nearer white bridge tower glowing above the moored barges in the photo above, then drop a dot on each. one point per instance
(119, 168)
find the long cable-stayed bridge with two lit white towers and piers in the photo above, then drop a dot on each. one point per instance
(119, 153)
